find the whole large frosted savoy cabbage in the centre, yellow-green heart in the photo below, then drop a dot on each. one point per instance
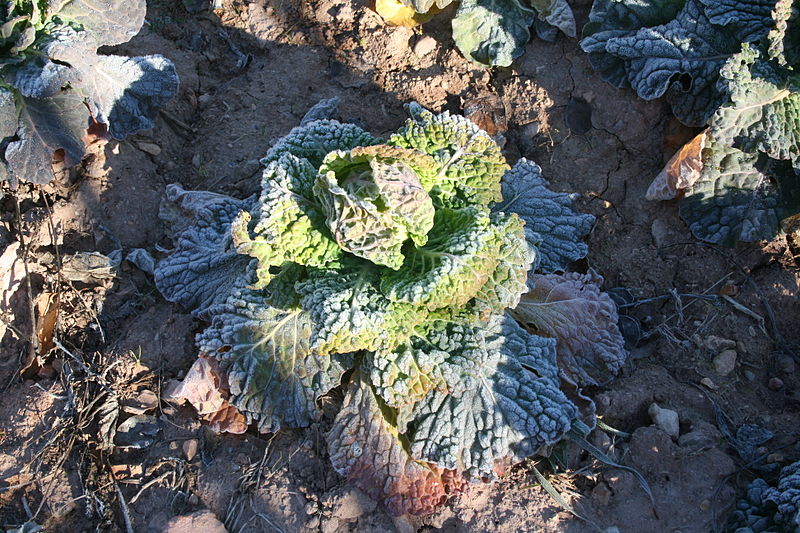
(420, 273)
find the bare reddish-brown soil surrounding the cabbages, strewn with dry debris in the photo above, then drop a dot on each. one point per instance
(244, 87)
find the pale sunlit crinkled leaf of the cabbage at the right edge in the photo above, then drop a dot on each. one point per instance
(764, 113)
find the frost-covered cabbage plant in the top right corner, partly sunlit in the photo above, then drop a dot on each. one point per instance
(733, 66)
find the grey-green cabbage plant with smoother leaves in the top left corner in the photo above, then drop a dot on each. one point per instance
(54, 84)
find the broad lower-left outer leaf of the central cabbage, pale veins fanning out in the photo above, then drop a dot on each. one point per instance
(274, 375)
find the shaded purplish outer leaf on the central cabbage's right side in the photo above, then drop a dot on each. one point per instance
(571, 309)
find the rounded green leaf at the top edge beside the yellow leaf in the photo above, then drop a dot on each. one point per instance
(492, 32)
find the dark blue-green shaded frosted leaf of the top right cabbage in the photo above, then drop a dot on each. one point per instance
(680, 57)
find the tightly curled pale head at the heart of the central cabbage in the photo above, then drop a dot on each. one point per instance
(374, 201)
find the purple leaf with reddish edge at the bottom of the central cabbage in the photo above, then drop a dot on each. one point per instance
(366, 448)
